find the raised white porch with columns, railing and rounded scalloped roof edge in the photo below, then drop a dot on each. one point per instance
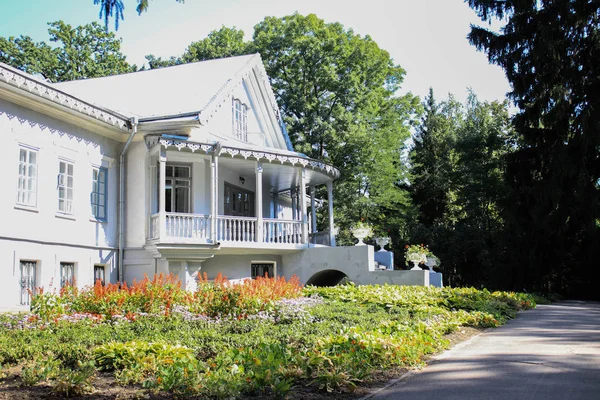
(231, 200)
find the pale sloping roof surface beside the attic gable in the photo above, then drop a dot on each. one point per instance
(180, 89)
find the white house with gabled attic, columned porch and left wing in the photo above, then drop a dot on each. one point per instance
(177, 170)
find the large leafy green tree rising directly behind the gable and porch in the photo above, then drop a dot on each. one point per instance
(337, 93)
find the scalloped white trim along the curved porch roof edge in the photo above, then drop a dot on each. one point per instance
(218, 149)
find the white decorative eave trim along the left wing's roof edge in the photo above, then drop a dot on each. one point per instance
(22, 81)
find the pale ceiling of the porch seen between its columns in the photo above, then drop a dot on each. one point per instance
(275, 175)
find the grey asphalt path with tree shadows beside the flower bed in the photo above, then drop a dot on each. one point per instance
(550, 352)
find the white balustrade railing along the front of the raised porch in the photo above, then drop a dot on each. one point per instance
(228, 229)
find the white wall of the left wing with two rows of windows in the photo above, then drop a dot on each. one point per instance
(39, 232)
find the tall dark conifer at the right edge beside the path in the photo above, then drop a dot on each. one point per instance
(549, 50)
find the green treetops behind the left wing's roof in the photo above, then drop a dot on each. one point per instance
(82, 52)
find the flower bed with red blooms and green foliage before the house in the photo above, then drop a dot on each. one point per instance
(259, 337)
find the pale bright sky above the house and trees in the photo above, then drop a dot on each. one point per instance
(426, 37)
